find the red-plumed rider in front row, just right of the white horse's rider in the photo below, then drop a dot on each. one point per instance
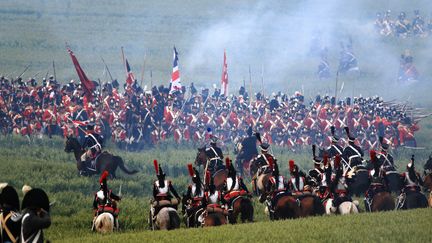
(377, 181)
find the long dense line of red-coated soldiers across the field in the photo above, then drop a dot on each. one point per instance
(136, 119)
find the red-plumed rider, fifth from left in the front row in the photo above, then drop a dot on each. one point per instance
(234, 186)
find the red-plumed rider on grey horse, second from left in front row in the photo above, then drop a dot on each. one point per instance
(163, 192)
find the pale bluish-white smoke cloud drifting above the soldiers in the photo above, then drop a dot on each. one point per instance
(283, 41)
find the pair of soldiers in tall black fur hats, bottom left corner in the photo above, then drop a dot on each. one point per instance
(25, 222)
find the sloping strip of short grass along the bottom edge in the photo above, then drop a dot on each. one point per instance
(408, 226)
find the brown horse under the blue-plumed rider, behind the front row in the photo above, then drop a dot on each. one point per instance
(218, 172)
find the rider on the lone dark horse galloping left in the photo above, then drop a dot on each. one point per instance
(92, 145)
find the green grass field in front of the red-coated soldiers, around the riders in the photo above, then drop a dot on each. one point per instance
(44, 164)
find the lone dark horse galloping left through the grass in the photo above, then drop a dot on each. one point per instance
(104, 161)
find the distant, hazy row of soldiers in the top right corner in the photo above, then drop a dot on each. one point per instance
(402, 27)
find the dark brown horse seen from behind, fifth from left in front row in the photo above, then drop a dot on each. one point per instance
(241, 206)
